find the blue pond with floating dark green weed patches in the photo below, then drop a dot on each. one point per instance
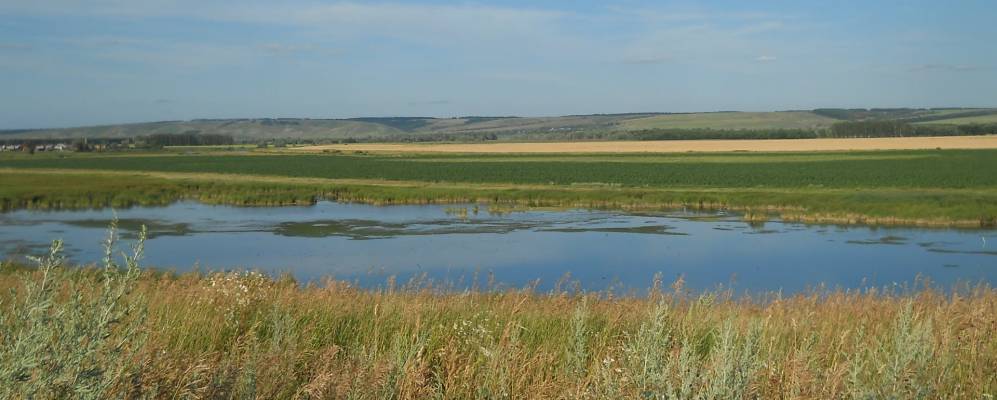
(368, 243)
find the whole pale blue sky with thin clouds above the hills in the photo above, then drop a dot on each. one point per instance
(74, 63)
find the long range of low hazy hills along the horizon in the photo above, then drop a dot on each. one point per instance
(478, 127)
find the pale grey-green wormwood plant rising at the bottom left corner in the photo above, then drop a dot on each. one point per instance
(68, 338)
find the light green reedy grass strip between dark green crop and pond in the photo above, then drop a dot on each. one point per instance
(75, 189)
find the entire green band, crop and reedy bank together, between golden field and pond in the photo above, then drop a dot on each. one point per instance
(931, 188)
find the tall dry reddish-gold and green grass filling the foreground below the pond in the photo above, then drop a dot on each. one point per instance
(120, 331)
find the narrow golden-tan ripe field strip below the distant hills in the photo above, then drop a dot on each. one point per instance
(672, 146)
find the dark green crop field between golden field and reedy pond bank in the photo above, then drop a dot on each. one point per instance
(913, 169)
